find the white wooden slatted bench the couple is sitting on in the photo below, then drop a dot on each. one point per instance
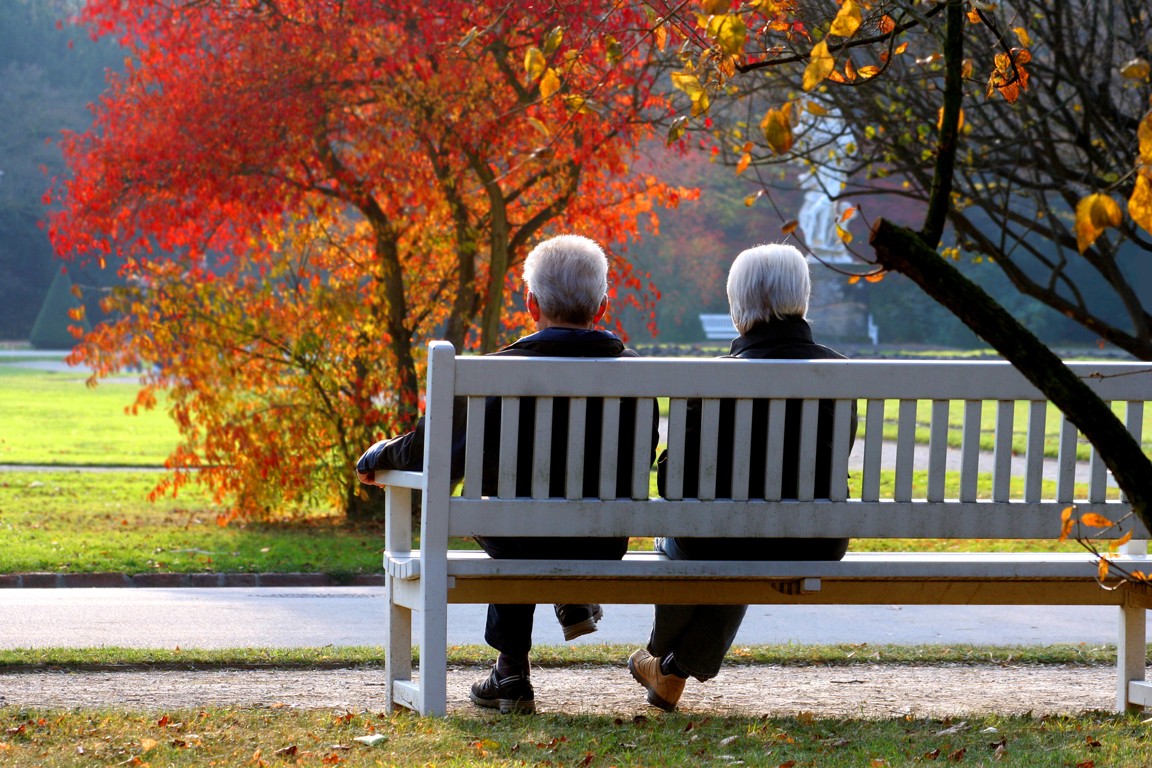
(901, 491)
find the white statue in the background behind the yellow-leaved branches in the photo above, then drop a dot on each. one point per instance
(829, 142)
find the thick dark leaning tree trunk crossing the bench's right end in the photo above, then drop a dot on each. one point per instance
(901, 250)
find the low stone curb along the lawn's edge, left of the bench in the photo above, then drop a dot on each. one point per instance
(175, 581)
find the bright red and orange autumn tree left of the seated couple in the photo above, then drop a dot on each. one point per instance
(298, 195)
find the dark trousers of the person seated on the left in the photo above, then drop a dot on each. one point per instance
(509, 628)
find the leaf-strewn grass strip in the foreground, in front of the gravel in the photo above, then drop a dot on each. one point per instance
(224, 736)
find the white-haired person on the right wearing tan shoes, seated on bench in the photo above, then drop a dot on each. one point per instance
(769, 288)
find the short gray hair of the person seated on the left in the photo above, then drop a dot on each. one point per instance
(569, 275)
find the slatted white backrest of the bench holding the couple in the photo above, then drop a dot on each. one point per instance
(980, 489)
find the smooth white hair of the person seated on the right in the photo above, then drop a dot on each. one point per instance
(767, 283)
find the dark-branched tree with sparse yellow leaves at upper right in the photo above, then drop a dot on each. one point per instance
(930, 93)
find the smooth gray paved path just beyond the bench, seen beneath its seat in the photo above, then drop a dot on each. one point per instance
(226, 618)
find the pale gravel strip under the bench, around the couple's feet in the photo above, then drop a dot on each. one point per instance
(852, 691)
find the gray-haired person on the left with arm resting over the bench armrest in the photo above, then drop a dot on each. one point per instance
(567, 283)
